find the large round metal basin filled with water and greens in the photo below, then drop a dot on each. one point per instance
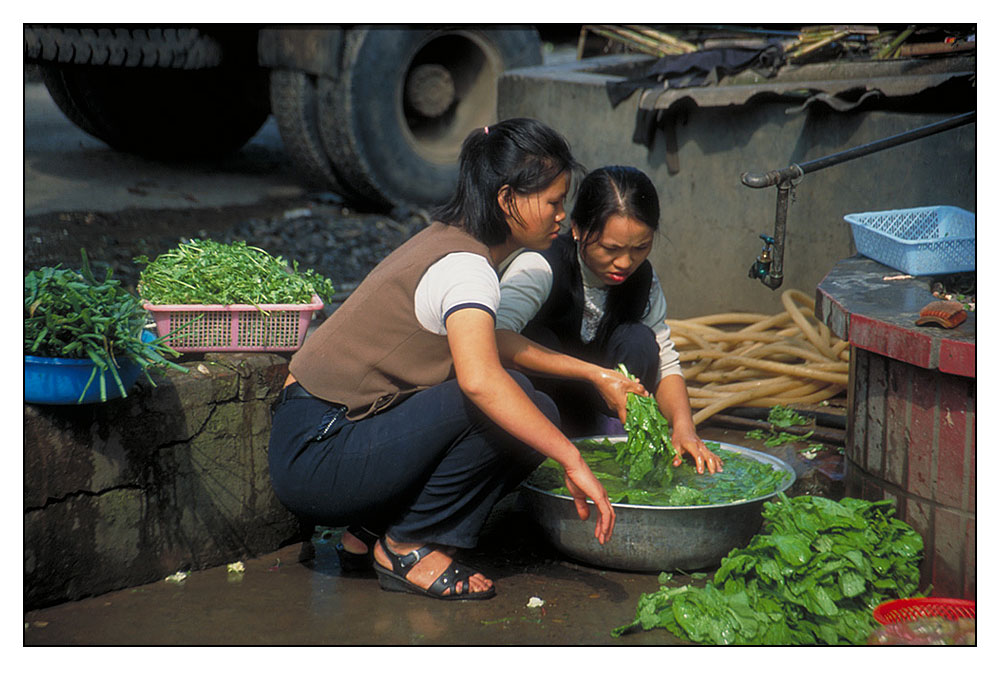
(653, 538)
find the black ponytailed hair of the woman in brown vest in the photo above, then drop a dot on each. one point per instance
(524, 154)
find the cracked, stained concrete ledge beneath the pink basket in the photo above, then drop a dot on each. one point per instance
(173, 477)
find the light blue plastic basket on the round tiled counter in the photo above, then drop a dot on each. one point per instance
(928, 241)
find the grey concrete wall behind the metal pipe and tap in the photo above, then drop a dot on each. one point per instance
(711, 221)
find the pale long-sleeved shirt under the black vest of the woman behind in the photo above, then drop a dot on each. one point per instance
(526, 285)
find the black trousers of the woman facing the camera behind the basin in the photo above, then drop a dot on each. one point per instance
(581, 408)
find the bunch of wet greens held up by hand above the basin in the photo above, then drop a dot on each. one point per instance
(645, 458)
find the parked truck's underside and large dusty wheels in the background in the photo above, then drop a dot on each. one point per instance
(374, 113)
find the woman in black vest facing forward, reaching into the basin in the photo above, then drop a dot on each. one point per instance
(594, 295)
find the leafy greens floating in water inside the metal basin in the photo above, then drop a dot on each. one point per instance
(744, 479)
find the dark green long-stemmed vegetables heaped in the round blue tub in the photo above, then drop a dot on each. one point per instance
(70, 314)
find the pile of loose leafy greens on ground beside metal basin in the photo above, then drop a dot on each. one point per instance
(813, 577)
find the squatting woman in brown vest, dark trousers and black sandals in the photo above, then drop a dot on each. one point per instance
(404, 414)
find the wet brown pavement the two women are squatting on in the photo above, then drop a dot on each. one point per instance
(282, 600)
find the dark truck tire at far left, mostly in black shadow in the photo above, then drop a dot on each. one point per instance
(160, 93)
